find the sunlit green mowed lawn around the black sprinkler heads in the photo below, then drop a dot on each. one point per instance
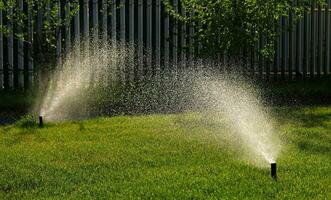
(162, 157)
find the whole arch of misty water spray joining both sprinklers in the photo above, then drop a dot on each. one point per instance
(101, 79)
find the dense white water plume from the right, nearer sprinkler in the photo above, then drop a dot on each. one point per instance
(240, 103)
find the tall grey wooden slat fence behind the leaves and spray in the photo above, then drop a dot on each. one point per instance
(303, 51)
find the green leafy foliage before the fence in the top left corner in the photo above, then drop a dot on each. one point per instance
(17, 18)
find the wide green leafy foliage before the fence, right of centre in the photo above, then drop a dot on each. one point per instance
(232, 25)
